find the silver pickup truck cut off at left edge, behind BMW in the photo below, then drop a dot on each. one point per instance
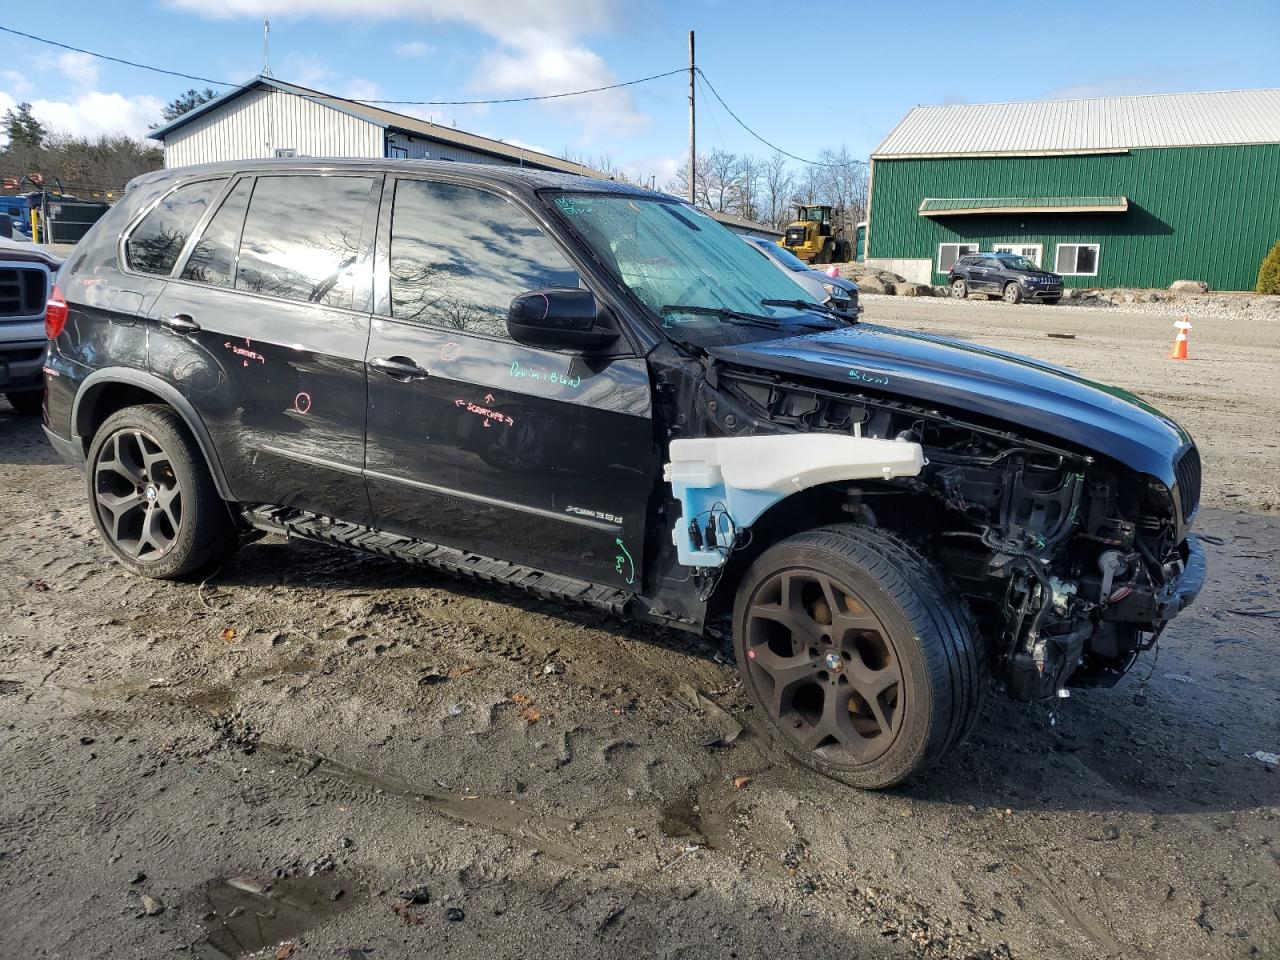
(26, 277)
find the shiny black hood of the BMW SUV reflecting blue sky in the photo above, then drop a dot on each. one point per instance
(962, 377)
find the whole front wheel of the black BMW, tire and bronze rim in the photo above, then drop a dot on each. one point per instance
(903, 661)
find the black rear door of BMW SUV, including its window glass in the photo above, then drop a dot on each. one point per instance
(264, 331)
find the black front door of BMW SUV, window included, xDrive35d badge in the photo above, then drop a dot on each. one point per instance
(534, 456)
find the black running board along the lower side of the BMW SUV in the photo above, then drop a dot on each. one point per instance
(313, 527)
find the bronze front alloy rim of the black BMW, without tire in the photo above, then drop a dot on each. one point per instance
(826, 666)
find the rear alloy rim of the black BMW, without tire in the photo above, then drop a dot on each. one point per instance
(138, 495)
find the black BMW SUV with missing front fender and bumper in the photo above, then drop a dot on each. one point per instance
(598, 394)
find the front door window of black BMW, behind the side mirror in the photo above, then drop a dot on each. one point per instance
(459, 257)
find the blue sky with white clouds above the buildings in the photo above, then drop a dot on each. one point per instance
(880, 61)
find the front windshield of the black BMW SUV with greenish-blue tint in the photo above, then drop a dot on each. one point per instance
(671, 255)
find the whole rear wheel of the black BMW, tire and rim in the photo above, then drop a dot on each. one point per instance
(153, 499)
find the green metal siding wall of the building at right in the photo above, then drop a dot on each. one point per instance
(1195, 213)
